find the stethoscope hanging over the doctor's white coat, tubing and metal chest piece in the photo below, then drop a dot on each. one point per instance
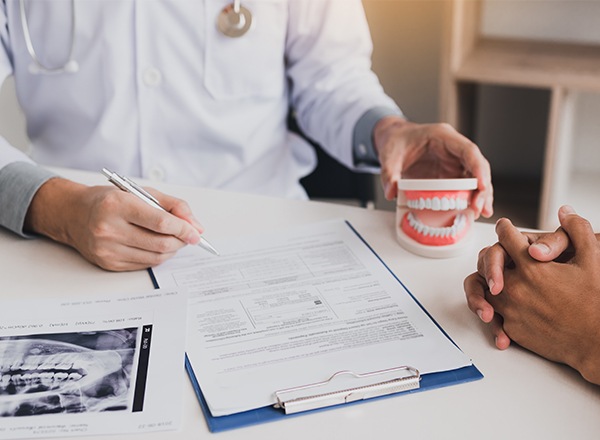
(233, 21)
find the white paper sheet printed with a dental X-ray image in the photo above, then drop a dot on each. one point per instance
(92, 365)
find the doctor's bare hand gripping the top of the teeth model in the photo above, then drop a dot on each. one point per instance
(431, 151)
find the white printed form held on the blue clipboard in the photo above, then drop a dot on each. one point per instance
(292, 308)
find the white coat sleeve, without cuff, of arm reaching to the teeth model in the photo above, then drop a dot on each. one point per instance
(328, 54)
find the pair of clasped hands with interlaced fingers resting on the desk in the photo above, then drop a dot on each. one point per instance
(542, 291)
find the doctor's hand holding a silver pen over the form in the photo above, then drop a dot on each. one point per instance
(109, 227)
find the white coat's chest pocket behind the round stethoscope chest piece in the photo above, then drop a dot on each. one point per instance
(252, 65)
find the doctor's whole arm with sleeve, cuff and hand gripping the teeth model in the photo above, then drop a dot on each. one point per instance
(335, 92)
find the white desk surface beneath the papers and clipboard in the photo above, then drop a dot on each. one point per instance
(521, 395)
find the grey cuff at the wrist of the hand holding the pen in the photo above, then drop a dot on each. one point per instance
(19, 181)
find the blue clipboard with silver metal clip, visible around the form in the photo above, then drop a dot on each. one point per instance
(409, 381)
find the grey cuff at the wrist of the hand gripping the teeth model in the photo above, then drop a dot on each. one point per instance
(363, 148)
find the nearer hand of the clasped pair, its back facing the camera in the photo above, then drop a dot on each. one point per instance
(551, 308)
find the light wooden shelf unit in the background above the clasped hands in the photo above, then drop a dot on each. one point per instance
(565, 69)
